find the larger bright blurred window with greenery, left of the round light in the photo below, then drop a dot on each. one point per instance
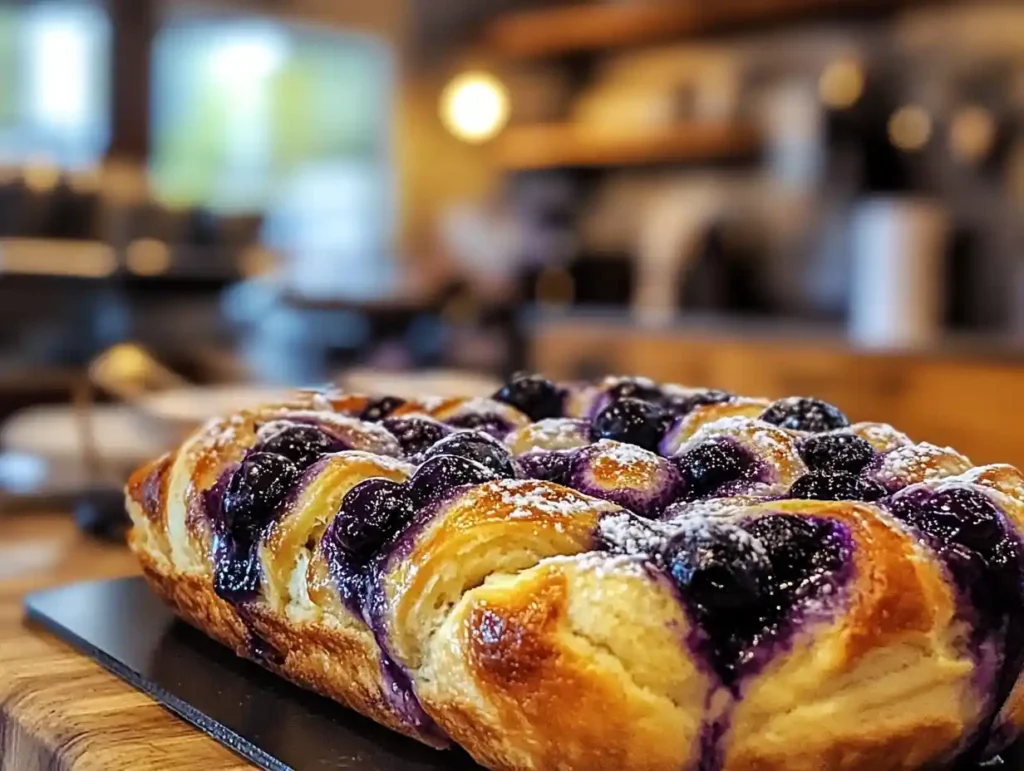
(244, 107)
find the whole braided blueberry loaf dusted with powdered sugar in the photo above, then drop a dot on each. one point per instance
(608, 576)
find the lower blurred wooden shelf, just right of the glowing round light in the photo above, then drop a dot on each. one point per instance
(567, 146)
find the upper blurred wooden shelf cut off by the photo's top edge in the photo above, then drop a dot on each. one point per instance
(548, 32)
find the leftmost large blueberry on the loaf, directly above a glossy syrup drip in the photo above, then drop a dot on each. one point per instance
(255, 493)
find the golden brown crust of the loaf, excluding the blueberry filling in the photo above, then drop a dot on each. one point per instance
(534, 653)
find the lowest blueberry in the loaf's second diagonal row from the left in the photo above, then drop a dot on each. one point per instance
(371, 512)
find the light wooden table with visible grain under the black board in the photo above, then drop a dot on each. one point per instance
(60, 710)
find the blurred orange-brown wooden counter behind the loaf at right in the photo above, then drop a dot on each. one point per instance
(960, 393)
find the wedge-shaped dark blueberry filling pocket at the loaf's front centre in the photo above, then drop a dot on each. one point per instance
(746, 587)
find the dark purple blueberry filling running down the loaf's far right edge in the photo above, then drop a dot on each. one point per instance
(986, 560)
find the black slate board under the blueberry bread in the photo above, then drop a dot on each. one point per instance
(267, 720)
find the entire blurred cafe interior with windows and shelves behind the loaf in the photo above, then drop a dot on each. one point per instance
(203, 202)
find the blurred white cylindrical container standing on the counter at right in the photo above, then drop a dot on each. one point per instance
(899, 272)
